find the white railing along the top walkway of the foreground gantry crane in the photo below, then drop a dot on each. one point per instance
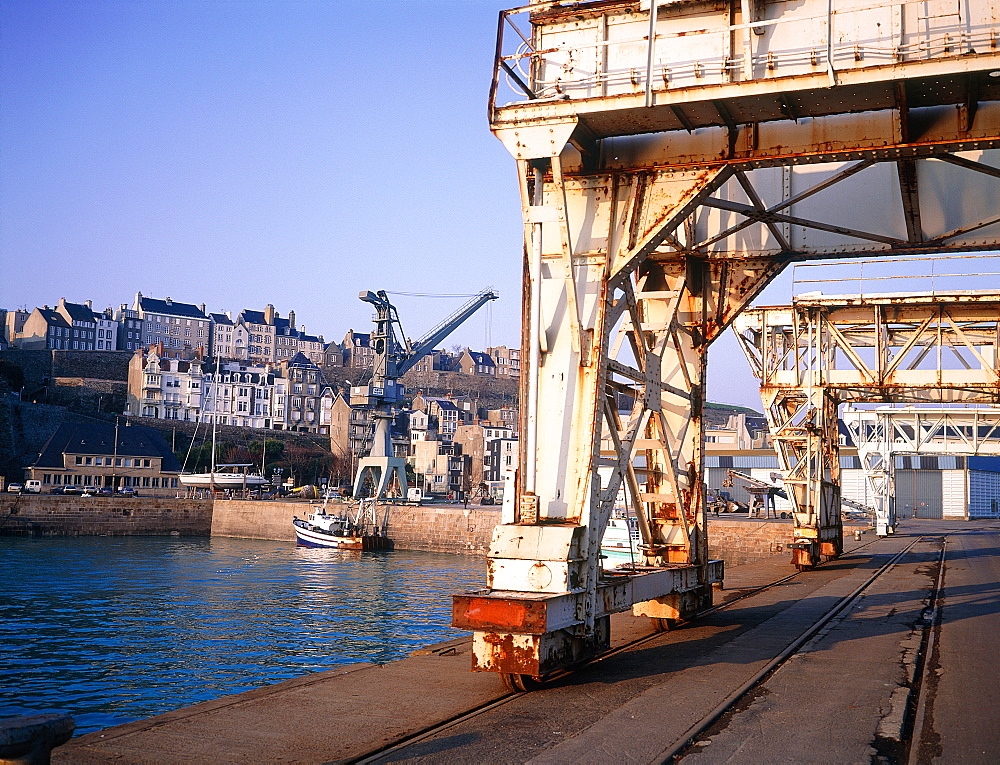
(830, 44)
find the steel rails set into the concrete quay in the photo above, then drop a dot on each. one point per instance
(681, 745)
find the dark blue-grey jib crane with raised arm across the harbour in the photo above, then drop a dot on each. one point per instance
(383, 395)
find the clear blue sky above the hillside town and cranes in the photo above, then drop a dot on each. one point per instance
(244, 152)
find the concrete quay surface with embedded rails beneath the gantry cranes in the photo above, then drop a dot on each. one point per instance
(836, 701)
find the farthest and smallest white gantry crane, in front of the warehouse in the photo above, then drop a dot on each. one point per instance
(882, 433)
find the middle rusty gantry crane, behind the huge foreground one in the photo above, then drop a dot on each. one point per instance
(819, 352)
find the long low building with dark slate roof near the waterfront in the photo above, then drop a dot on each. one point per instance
(101, 454)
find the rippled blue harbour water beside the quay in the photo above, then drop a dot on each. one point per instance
(113, 629)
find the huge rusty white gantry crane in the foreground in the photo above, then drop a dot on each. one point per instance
(673, 157)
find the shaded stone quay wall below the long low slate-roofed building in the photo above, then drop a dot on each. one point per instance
(104, 516)
